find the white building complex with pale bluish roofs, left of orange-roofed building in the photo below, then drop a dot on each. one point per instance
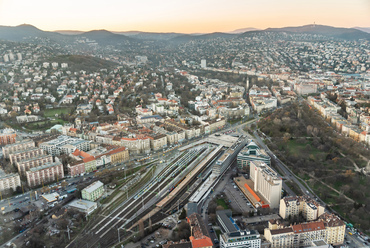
(64, 145)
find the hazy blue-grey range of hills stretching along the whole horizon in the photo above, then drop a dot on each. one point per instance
(104, 37)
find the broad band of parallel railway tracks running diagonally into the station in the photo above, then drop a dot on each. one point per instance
(103, 230)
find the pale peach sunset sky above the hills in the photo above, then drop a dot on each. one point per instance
(189, 16)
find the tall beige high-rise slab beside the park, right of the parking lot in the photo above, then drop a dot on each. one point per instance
(266, 182)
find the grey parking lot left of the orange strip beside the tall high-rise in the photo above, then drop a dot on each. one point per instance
(237, 198)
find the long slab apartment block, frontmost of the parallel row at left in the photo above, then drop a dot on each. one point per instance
(44, 174)
